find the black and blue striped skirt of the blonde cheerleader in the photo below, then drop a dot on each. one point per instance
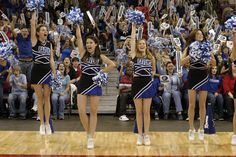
(142, 87)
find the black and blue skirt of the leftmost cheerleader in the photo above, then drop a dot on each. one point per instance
(41, 74)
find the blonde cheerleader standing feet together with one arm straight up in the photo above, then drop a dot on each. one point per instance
(142, 88)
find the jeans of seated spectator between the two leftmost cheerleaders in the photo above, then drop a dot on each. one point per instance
(58, 104)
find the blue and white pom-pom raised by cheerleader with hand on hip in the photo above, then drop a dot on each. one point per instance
(75, 15)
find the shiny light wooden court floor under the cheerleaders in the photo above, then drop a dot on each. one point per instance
(73, 144)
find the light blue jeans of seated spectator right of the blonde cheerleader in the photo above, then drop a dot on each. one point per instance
(166, 96)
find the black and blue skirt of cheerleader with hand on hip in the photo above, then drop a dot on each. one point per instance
(86, 86)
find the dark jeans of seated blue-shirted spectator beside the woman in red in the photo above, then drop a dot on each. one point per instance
(217, 103)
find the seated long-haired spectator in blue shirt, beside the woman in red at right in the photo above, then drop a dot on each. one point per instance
(214, 95)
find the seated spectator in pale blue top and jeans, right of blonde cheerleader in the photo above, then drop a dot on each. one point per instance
(172, 89)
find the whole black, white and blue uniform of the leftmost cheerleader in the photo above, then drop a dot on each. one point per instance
(41, 72)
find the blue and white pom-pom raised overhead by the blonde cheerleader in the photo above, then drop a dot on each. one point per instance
(136, 17)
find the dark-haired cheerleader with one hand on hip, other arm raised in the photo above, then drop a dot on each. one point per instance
(91, 60)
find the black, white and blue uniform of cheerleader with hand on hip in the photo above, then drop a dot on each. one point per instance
(89, 69)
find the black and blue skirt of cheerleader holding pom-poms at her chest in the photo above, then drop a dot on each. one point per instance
(198, 80)
